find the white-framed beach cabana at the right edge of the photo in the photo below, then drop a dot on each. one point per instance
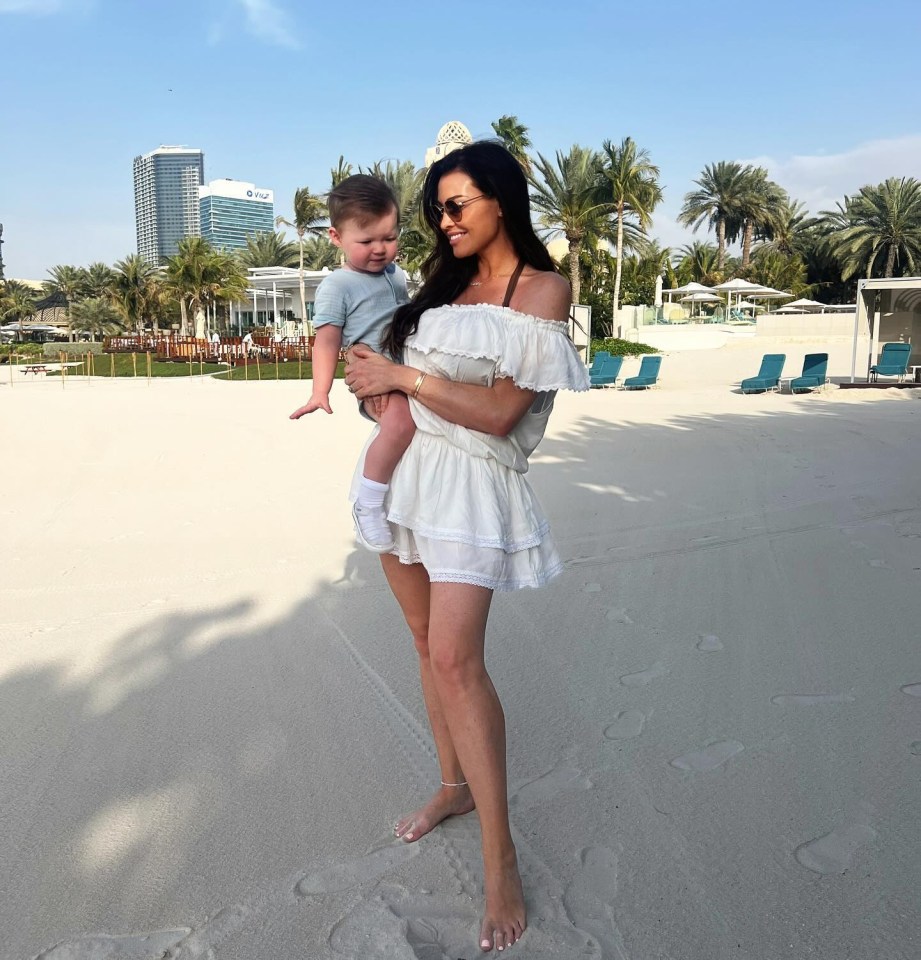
(888, 311)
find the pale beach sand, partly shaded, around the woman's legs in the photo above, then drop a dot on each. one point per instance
(209, 711)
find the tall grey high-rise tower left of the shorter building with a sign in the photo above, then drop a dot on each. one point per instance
(166, 183)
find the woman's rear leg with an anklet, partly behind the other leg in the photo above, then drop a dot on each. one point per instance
(410, 586)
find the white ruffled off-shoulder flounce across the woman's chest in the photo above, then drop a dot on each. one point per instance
(537, 354)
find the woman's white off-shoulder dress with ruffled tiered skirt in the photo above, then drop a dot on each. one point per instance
(459, 502)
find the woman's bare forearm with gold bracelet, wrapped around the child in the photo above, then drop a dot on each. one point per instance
(495, 410)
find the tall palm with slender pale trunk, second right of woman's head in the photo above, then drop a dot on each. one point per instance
(633, 190)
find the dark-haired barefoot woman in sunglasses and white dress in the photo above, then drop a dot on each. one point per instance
(485, 347)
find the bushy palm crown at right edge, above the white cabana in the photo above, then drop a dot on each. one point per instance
(878, 225)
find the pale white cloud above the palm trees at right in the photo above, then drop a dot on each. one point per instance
(820, 181)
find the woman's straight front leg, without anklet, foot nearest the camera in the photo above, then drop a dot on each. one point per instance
(476, 725)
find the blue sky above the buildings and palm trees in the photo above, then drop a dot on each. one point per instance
(274, 91)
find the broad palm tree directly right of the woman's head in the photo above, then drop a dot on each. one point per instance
(567, 200)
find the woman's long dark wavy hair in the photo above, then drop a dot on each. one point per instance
(497, 174)
